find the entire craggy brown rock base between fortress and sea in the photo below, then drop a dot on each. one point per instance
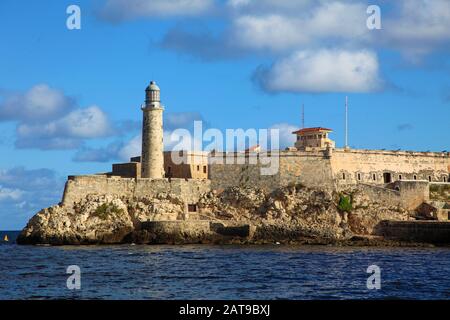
(290, 214)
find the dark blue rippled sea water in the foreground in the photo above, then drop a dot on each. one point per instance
(222, 272)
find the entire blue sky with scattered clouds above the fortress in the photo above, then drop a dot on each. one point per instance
(69, 99)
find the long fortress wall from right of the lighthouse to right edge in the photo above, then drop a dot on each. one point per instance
(314, 169)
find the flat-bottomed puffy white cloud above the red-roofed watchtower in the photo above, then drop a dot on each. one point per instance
(322, 71)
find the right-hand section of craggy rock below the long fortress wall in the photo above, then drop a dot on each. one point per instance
(296, 212)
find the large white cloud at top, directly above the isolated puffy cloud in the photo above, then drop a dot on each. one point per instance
(327, 22)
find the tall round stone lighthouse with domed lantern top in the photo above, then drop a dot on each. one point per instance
(152, 158)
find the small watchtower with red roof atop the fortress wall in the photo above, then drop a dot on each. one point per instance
(313, 138)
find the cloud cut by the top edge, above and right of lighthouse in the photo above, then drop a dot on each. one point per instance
(119, 10)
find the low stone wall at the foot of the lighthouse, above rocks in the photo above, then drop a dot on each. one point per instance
(77, 187)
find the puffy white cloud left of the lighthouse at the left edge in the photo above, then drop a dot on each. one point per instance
(47, 119)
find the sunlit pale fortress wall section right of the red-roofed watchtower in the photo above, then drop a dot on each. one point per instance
(369, 162)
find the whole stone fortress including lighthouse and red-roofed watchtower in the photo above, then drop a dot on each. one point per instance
(403, 177)
